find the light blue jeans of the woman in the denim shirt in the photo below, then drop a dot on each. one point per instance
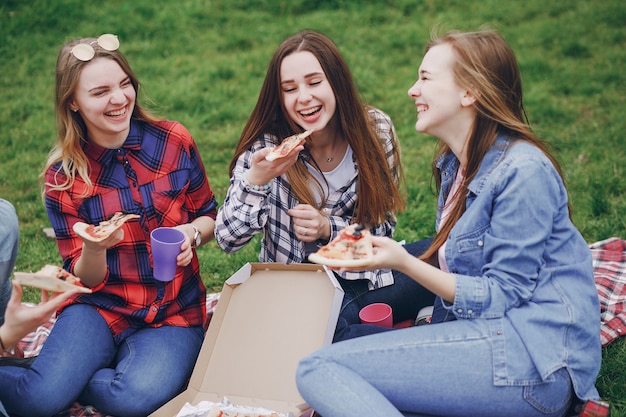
(436, 370)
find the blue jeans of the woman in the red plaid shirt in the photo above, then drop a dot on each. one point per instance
(81, 362)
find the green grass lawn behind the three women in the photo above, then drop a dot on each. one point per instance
(202, 62)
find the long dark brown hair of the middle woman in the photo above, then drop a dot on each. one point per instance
(376, 181)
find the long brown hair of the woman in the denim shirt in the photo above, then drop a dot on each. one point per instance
(486, 66)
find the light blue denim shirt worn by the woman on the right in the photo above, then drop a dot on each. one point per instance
(521, 263)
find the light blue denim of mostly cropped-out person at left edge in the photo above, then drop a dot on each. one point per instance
(9, 241)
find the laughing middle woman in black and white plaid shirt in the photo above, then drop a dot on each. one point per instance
(348, 172)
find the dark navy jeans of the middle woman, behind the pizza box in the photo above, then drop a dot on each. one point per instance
(406, 298)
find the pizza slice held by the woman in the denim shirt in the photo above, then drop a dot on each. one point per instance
(351, 248)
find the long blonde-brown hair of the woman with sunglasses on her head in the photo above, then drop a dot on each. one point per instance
(71, 130)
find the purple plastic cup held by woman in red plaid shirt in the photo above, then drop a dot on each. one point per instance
(165, 242)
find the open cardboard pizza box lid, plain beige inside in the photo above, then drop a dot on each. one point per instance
(268, 317)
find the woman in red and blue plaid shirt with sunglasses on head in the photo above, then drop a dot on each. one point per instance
(130, 346)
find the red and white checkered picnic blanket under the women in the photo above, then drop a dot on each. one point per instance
(609, 264)
